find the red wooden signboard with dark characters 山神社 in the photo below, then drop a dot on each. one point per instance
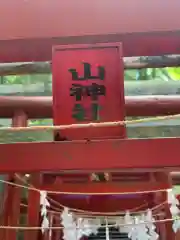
(88, 87)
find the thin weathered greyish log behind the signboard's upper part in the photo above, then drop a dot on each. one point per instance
(45, 67)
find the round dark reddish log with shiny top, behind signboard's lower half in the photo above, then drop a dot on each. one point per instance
(41, 107)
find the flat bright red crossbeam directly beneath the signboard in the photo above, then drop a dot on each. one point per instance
(115, 155)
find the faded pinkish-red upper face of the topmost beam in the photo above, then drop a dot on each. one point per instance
(70, 18)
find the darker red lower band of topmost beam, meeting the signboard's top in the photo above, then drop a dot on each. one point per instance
(152, 44)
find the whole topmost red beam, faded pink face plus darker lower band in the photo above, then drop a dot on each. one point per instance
(69, 22)
